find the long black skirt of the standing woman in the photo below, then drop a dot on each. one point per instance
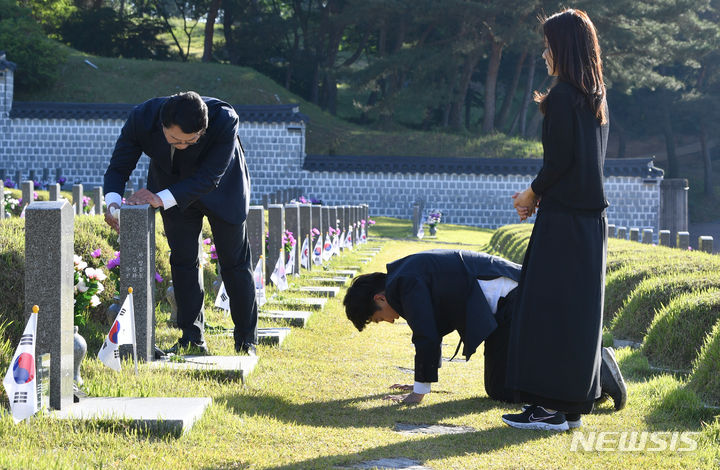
(556, 332)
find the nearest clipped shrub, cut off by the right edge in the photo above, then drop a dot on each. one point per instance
(705, 379)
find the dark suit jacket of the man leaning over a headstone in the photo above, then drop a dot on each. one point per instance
(212, 171)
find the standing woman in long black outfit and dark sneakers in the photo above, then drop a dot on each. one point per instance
(554, 352)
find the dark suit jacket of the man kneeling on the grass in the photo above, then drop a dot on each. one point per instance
(437, 292)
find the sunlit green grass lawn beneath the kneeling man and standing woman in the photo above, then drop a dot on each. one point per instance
(317, 402)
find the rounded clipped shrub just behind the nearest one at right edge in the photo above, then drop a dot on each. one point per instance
(676, 335)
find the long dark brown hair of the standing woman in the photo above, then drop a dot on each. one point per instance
(575, 51)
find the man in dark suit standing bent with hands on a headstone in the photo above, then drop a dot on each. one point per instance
(197, 169)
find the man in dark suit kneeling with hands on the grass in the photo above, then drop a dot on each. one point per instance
(441, 291)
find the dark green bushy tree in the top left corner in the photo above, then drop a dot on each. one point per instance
(26, 44)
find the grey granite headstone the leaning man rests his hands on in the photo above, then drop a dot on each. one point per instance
(137, 270)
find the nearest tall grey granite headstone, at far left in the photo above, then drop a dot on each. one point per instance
(49, 283)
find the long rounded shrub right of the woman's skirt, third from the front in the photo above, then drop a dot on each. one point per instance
(636, 315)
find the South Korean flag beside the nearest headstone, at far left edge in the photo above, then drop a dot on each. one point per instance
(20, 381)
